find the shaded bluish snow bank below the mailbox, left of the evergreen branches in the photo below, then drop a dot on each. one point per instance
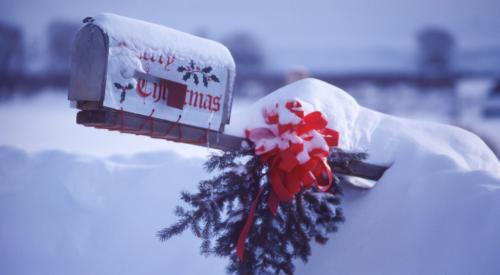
(66, 214)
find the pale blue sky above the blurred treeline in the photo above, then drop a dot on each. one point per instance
(286, 23)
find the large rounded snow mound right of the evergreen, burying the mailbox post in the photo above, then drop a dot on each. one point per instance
(435, 210)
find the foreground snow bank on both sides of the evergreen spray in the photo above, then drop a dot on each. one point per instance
(435, 210)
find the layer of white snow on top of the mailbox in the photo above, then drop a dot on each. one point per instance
(163, 40)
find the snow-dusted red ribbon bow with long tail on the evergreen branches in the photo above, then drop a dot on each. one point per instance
(295, 149)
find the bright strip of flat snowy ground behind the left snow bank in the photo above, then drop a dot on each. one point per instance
(46, 122)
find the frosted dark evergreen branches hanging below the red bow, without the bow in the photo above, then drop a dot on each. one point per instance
(217, 213)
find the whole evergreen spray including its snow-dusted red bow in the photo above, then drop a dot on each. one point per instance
(268, 202)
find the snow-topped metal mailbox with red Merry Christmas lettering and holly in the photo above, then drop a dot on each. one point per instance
(150, 78)
